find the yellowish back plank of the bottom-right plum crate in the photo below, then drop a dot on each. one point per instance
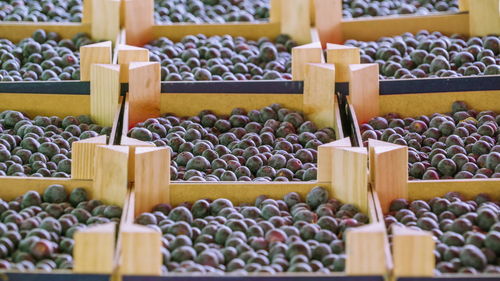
(426, 190)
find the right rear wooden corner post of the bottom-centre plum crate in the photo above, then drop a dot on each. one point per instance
(349, 176)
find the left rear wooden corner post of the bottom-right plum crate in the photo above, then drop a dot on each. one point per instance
(388, 171)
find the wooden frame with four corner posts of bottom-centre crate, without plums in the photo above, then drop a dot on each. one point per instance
(152, 186)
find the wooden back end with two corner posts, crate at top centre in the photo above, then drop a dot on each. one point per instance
(294, 18)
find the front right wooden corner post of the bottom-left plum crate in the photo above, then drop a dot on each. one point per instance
(94, 249)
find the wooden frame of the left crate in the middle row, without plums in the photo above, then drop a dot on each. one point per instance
(99, 100)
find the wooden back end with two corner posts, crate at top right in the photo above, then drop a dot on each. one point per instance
(476, 18)
